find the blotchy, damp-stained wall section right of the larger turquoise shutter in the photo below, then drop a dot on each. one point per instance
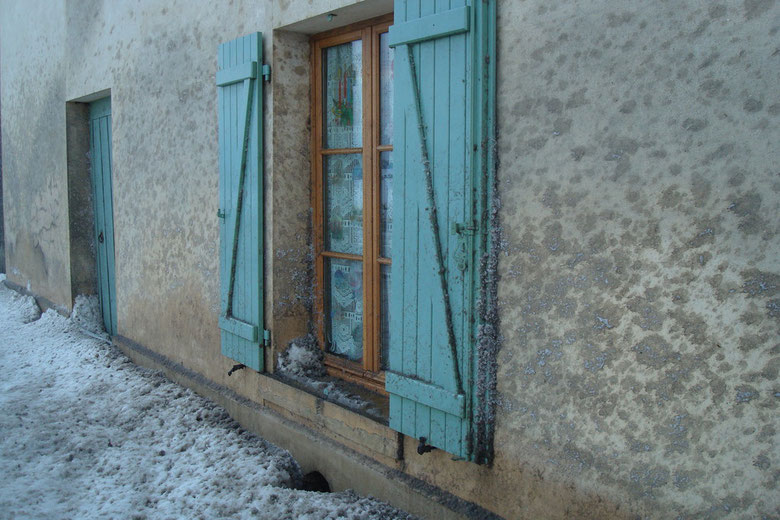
(640, 278)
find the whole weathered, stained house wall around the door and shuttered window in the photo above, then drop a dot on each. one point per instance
(636, 236)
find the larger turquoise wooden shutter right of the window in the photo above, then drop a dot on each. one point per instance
(430, 372)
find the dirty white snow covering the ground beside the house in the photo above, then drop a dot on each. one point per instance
(85, 433)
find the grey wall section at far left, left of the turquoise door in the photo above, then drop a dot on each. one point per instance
(34, 159)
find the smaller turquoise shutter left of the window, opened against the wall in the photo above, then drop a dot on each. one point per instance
(240, 102)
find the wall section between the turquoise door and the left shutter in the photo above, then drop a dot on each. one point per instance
(160, 67)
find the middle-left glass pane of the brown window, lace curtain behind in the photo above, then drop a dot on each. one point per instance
(343, 192)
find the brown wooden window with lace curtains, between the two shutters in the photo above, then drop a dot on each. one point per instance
(352, 197)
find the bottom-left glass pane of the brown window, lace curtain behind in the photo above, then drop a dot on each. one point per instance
(344, 308)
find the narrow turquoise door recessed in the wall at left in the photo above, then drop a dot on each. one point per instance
(100, 146)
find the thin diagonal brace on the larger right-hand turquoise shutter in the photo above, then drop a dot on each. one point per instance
(433, 217)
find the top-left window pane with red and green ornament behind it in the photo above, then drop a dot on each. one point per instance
(342, 87)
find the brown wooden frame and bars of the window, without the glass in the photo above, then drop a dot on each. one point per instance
(366, 373)
